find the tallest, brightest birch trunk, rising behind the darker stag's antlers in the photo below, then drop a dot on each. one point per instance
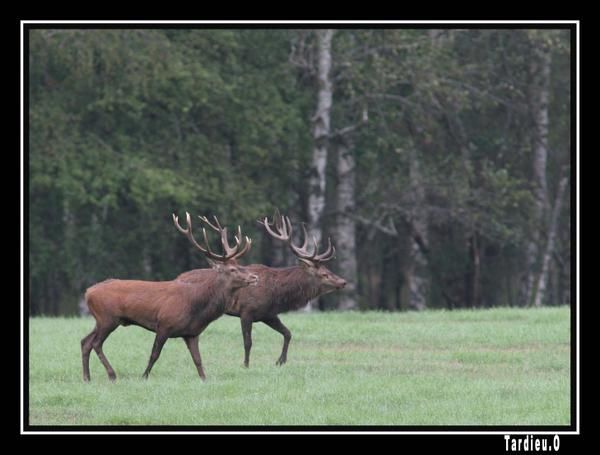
(321, 129)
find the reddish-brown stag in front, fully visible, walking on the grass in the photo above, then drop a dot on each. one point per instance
(171, 309)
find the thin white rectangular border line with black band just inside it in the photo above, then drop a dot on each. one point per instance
(543, 431)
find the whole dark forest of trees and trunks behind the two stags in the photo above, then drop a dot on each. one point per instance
(438, 161)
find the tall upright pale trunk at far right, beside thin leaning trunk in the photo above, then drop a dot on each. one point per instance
(539, 89)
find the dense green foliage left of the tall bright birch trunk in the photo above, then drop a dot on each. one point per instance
(128, 126)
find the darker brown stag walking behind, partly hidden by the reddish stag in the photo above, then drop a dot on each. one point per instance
(279, 289)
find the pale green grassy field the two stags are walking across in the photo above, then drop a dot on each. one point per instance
(487, 367)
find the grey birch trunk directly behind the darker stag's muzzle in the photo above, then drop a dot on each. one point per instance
(345, 230)
